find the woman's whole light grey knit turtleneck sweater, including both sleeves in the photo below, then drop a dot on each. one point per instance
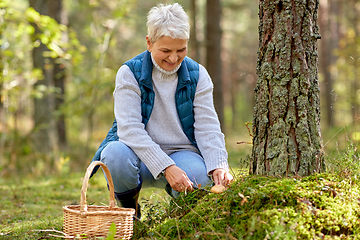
(163, 134)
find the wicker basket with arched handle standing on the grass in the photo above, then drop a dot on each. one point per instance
(95, 221)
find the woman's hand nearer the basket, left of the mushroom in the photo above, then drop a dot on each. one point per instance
(178, 179)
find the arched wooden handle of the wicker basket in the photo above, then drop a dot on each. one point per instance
(83, 206)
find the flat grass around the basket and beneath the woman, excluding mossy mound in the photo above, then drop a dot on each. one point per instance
(31, 208)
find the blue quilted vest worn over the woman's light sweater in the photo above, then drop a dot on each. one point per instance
(188, 76)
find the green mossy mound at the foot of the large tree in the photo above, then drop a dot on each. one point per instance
(321, 206)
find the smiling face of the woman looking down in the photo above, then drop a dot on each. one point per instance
(168, 52)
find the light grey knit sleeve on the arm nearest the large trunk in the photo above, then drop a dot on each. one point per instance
(209, 138)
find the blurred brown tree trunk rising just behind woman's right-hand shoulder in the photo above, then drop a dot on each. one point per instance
(213, 53)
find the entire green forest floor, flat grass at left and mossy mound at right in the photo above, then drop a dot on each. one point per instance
(321, 206)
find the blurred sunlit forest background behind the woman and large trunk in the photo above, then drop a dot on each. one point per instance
(57, 74)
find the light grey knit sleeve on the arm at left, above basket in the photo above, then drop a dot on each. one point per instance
(131, 130)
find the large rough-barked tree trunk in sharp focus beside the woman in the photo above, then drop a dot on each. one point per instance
(286, 127)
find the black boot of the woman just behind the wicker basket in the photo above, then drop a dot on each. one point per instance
(129, 199)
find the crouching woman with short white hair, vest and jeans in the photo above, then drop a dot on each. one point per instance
(166, 131)
